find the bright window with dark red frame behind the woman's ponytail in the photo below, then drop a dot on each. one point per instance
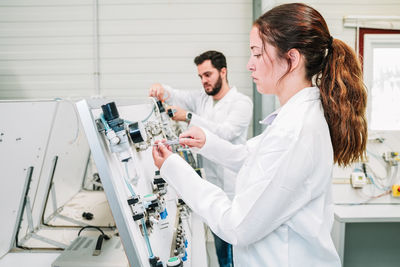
(381, 61)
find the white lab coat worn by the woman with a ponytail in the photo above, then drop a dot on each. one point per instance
(282, 212)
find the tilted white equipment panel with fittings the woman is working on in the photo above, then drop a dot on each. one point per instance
(155, 236)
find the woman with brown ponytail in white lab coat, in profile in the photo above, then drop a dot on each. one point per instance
(282, 212)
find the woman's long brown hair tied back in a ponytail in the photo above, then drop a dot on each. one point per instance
(335, 68)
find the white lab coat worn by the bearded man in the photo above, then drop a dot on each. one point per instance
(229, 119)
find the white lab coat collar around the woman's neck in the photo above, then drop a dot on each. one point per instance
(306, 94)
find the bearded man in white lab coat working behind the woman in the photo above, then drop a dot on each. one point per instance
(219, 108)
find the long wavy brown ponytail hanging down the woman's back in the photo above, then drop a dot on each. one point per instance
(344, 100)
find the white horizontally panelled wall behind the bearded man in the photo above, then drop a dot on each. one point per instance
(47, 46)
